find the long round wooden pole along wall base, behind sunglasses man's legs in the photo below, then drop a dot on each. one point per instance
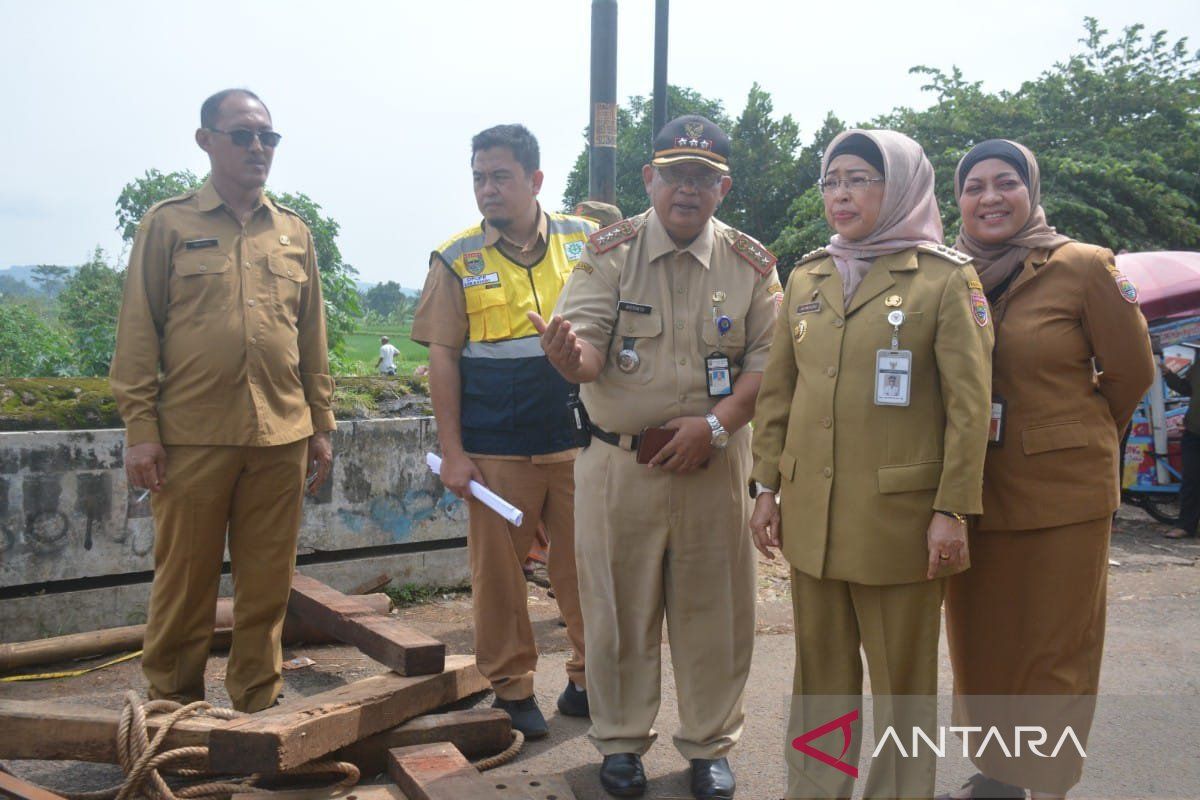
(130, 637)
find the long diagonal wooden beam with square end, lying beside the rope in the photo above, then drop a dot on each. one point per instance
(290, 736)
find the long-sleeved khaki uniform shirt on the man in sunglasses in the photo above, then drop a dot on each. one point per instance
(221, 339)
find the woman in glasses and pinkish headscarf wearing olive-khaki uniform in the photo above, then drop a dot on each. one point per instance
(871, 430)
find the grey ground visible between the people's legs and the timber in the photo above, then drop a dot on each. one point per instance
(1154, 647)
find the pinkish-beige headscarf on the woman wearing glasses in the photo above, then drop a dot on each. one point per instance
(908, 218)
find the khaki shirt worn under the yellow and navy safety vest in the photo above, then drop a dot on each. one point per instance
(441, 316)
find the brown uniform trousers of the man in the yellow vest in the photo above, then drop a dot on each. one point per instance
(506, 652)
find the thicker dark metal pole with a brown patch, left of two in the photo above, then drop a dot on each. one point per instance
(603, 153)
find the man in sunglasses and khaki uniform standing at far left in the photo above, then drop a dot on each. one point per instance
(221, 375)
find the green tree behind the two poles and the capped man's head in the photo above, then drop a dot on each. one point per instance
(635, 148)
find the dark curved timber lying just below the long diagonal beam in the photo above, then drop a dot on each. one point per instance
(477, 733)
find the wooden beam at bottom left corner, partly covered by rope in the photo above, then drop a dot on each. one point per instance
(62, 731)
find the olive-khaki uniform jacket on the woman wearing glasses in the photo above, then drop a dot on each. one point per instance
(859, 483)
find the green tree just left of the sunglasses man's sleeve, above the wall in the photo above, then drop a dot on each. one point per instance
(88, 309)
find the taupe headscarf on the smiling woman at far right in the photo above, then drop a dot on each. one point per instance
(997, 263)
